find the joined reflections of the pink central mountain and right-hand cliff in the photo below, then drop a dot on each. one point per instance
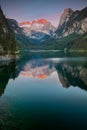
(71, 72)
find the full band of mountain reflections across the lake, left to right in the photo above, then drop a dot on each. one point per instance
(71, 72)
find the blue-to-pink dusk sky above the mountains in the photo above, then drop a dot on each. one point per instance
(28, 10)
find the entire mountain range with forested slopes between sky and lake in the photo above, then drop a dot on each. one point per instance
(71, 32)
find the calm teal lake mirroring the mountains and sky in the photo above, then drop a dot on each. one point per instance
(44, 90)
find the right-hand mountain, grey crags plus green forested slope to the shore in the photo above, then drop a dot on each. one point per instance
(72, 33)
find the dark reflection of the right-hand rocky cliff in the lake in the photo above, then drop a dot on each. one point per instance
(73, 74)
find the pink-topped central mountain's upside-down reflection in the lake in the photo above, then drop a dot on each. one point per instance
(39, 68)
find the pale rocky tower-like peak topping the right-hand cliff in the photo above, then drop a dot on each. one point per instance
(65, 16)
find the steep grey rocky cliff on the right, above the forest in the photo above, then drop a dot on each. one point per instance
(72, 22)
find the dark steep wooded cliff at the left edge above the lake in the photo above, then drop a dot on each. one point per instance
(7, 39)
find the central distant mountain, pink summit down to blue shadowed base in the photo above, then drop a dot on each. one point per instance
(39, 30)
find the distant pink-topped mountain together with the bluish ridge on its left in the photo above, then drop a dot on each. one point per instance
(35, 32)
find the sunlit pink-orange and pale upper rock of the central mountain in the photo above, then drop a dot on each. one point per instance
(40, 25)
